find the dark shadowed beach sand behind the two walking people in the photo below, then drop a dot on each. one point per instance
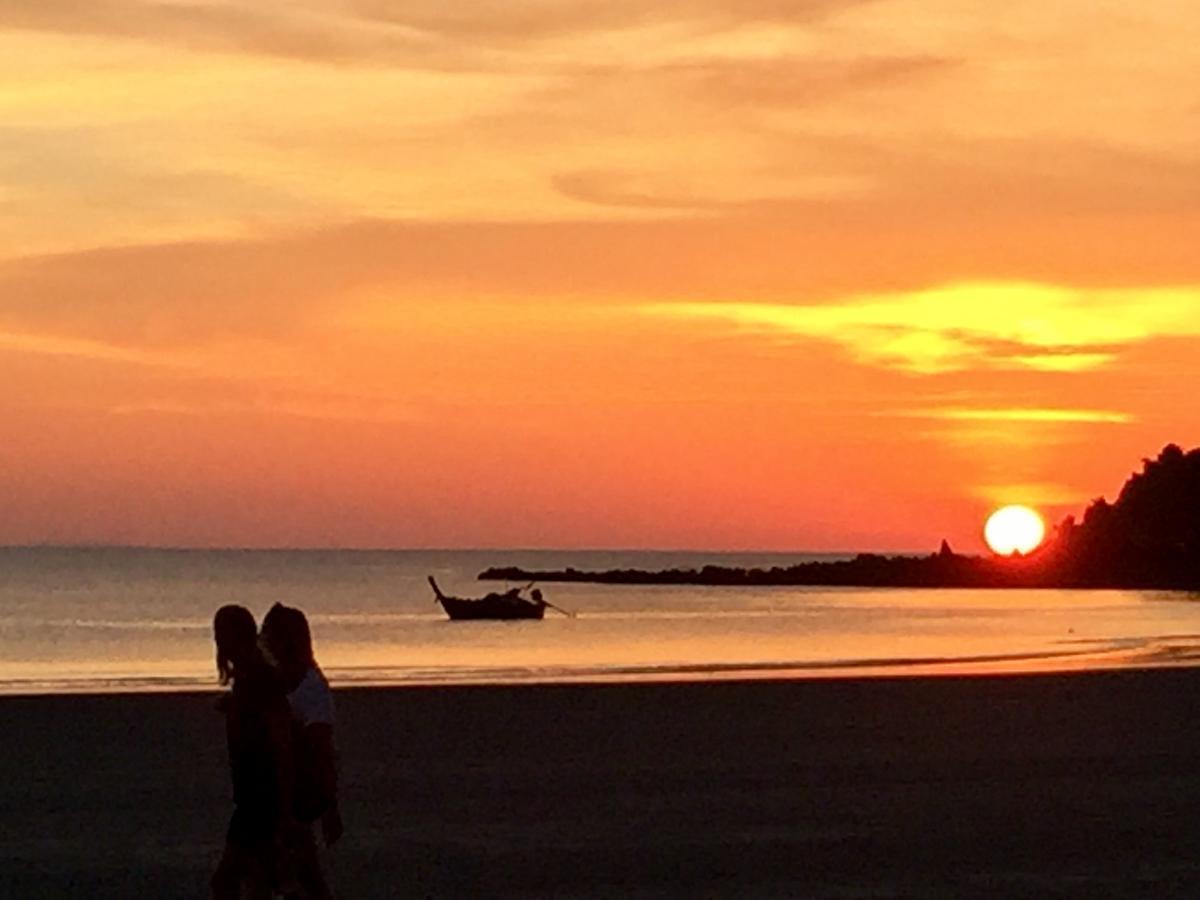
(1079, 785)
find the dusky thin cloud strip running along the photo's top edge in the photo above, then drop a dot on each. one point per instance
(424, 33)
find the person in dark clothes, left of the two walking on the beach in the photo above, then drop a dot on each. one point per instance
(260, 742)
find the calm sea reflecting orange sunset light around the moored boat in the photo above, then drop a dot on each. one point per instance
(135, 620)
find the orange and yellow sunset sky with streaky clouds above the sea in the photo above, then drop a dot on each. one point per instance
(698, 274)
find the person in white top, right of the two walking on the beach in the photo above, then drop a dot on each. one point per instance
(289, 640)
